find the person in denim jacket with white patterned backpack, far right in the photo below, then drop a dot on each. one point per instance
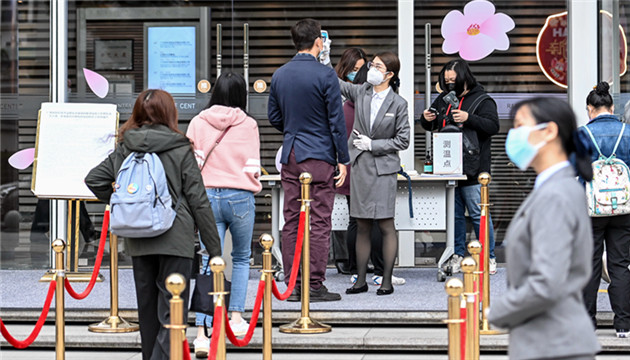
(610, 136)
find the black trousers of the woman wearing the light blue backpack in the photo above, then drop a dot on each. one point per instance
(150, 273)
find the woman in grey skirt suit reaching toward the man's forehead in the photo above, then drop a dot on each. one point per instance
(381, 129)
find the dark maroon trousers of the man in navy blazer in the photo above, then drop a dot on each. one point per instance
(323, 197)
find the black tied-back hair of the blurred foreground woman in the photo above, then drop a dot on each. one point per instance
(545, 110)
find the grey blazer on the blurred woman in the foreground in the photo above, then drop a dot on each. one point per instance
(549, 256)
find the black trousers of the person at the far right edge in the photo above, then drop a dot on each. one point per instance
(614, 231)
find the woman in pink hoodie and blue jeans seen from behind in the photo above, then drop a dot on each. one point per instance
(227, 148)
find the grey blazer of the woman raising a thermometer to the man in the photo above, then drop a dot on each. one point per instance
(388, 137)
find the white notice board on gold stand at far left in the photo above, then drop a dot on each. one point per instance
(71, 140)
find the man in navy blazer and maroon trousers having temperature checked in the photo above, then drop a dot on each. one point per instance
(304, 104)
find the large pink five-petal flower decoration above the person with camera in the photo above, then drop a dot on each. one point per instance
(477, 32)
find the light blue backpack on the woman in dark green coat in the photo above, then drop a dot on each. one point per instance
(141, 205)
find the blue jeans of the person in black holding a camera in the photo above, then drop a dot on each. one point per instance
(469, 197)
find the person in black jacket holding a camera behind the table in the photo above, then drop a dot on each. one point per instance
(463, 105)
